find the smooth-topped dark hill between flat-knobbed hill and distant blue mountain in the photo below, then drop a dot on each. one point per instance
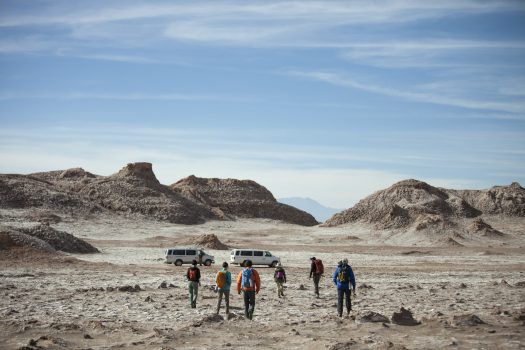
(239, 198)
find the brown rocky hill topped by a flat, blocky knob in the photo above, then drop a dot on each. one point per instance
(136, 190)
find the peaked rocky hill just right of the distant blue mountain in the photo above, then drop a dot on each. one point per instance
(406, 203)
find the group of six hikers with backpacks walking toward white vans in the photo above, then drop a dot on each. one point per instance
(249, 283)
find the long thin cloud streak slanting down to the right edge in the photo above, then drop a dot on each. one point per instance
(341, 80)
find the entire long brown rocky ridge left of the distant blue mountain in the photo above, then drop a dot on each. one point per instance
(135, 191)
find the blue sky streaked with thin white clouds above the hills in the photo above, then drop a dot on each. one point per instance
(331, 100)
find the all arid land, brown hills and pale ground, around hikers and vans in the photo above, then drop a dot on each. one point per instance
(82, 265)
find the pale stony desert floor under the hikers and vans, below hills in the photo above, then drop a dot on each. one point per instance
(470, 297)
